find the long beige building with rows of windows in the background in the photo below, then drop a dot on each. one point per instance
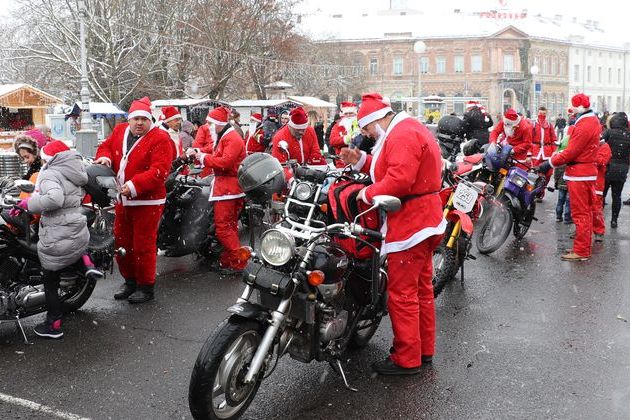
(495, 69)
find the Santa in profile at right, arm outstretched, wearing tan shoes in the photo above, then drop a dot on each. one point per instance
(580, 156)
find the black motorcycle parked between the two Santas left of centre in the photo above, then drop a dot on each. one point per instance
(187, 224)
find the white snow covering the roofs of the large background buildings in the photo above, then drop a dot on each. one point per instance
(359, 25)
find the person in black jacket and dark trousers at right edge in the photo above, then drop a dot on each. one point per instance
(618, 138)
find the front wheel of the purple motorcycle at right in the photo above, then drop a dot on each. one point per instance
(494, 229)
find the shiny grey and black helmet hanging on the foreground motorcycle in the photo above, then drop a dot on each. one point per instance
(260, 176)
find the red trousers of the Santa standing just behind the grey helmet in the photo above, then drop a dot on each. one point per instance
(226, 214)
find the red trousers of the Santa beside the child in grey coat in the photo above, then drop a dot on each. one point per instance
(135, 229)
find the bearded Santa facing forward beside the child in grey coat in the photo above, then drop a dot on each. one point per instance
(140, 154)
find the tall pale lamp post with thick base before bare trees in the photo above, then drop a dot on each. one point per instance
(86, 138)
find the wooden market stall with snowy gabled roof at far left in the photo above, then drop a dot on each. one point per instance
(22, 105)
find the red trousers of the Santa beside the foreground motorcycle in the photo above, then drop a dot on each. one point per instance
(410, 302)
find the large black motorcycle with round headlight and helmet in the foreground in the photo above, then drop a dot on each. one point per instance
(314, 300)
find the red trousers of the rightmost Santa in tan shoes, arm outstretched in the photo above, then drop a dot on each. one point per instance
(582, 195)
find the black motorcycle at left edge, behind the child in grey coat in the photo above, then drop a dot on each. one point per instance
(21, 287)
